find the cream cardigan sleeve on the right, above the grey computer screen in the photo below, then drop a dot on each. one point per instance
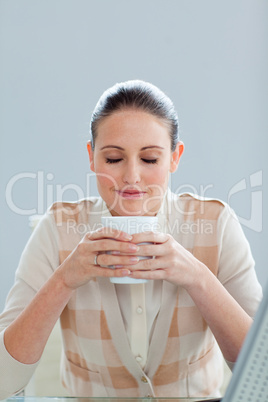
(236, 264)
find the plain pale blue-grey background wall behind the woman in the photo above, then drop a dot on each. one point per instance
(58, 56)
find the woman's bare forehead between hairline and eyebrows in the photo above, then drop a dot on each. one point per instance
(133, 127)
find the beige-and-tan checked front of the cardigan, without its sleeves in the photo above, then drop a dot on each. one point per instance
(183, 359)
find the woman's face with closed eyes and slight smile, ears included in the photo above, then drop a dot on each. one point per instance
(132, 160)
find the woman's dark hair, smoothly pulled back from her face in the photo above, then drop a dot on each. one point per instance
(136, 94)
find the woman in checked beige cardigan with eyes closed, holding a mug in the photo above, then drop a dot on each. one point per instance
(153, 339)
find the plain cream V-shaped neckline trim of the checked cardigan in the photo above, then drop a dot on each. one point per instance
(114, 316)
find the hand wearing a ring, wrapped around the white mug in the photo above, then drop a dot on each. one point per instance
(79, 267)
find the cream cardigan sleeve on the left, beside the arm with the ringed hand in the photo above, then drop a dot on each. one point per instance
(38, 262)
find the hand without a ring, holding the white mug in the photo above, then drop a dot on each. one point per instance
(171, 261)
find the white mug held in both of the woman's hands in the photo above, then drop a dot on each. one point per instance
(130, 225)
